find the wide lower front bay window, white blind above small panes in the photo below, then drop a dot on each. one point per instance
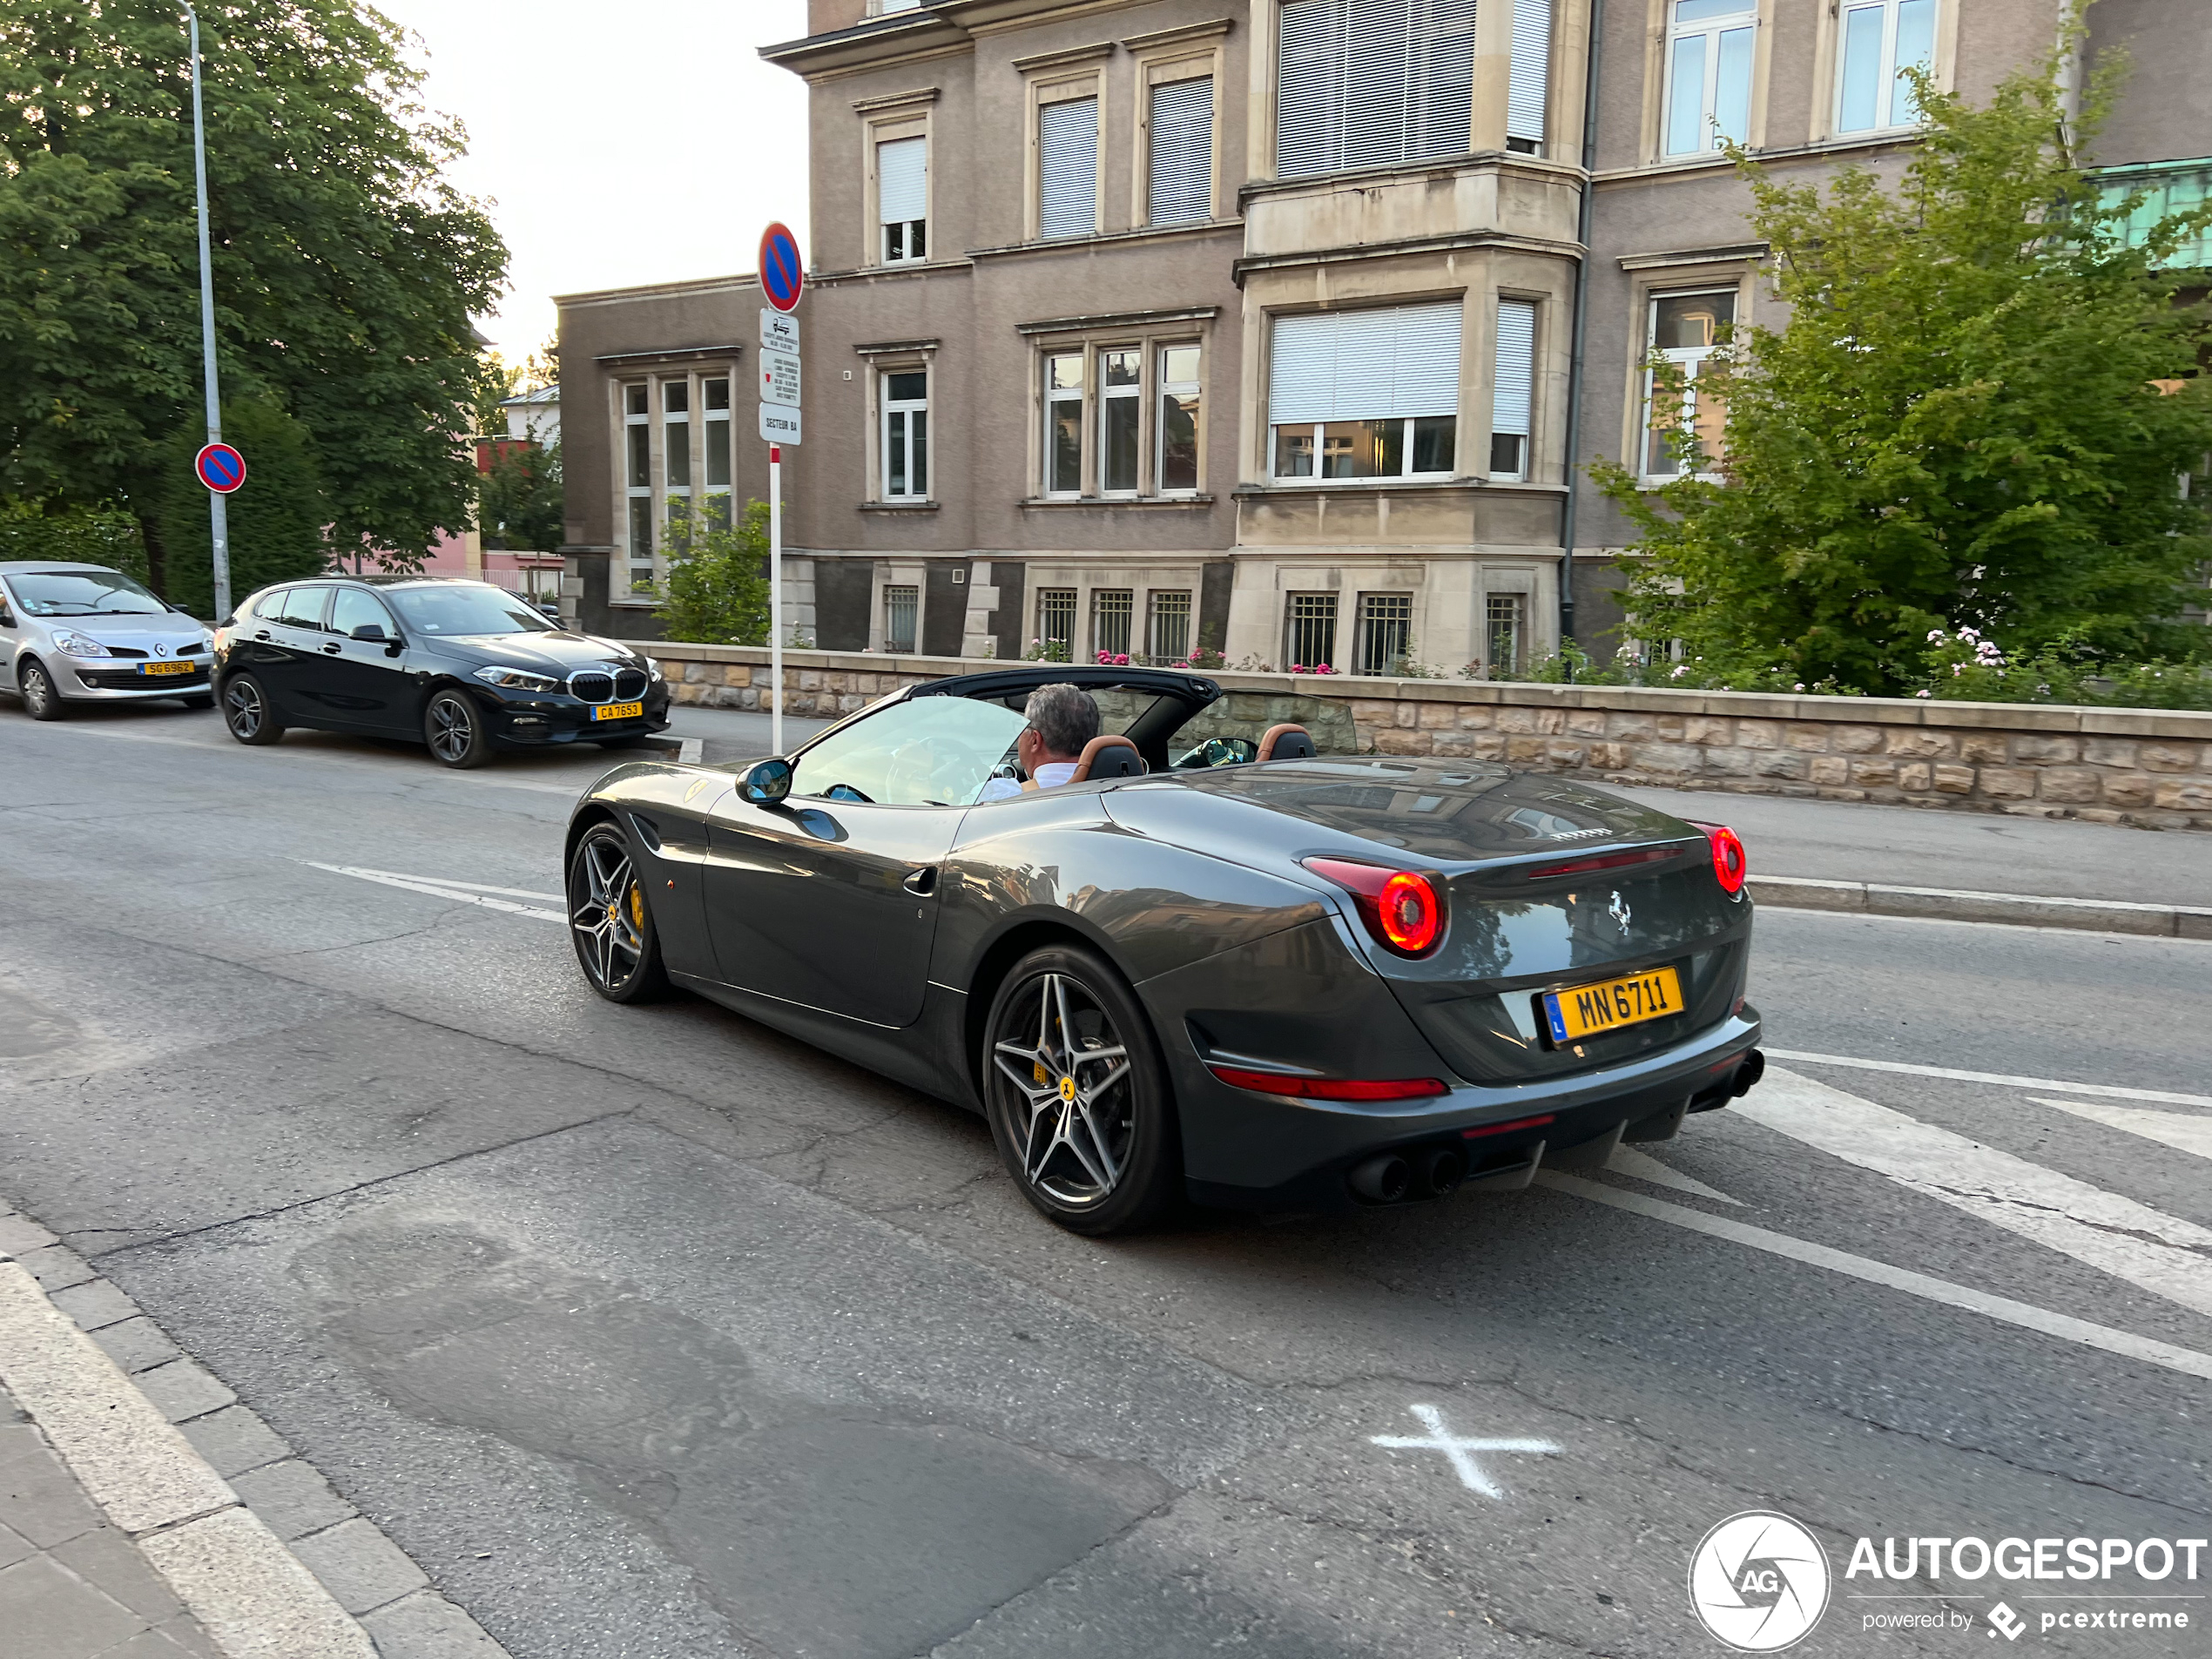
(1366, 395)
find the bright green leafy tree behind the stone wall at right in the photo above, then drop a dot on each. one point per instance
(1959, 426)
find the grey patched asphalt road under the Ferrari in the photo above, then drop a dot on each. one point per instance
(651, 1333)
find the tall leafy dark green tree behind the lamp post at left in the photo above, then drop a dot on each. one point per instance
(346, 267)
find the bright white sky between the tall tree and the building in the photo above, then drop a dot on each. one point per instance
(636, 143)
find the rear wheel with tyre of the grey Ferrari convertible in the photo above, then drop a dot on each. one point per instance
(1078, 1096)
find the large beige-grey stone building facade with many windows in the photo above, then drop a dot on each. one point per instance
(1253, 324)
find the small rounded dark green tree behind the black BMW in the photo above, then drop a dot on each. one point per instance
(275, 521)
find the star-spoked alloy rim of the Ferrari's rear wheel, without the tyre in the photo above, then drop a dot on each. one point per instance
(1072, 1081)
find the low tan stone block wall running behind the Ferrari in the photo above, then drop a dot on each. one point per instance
(2103, 764)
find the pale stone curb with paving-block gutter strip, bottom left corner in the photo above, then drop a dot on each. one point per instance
(251, 1538)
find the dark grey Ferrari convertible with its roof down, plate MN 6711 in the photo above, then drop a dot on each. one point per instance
(1227, 961)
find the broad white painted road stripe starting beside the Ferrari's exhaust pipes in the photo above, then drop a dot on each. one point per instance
(2149, 1249)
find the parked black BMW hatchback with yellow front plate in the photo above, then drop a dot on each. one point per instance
(461, 667)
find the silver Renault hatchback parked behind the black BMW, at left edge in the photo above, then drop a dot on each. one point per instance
(83, 634)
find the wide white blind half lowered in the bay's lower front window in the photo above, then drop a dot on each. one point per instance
(1366, 366)
